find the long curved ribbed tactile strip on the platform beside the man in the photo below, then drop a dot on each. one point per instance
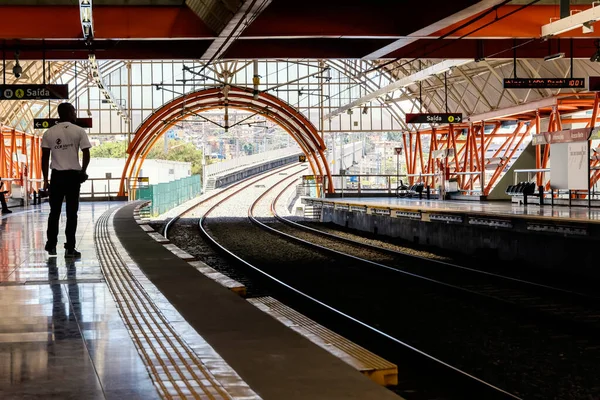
(177, 371)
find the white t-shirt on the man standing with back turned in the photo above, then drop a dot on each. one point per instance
(64, 141)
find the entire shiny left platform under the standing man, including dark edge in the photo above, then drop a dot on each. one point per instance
(132, 320)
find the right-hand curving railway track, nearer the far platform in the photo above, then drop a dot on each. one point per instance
(546, 303)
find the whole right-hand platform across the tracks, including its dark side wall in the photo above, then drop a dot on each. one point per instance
(544, 236)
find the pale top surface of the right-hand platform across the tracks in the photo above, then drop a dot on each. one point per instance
(574, 214)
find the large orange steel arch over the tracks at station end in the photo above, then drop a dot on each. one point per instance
(271, 107)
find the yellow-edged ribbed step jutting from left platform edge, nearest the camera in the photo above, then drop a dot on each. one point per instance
(378, 369)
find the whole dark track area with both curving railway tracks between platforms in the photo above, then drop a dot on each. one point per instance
(341, 296)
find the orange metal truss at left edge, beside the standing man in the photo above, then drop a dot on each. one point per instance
(14, 143)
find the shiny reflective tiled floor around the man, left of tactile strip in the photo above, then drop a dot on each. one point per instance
(60, 333)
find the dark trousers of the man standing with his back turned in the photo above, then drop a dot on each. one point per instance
(63, 185)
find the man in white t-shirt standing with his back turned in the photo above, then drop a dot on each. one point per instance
(63, 141)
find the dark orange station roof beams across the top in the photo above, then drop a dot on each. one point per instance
(238, 29)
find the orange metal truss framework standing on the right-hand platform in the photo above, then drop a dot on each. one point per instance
(470, 144)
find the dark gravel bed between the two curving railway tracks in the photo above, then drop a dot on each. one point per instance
(531, 361)
